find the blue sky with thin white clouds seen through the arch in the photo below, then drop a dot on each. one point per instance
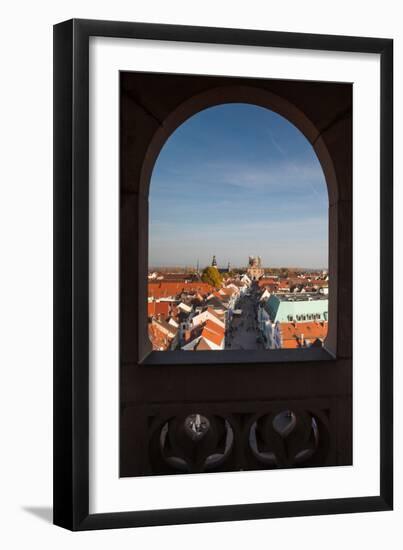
(237, 180)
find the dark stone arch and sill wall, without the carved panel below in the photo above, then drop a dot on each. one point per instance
(152, 105)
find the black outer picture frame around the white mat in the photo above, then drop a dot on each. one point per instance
(71, 274)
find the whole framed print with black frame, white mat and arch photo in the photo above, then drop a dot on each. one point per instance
(223, 274)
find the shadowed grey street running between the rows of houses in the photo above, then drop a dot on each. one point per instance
(244, 331)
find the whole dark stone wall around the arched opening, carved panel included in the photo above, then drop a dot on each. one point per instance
(182, 394)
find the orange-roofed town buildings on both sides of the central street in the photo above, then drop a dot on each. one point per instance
(187, 314)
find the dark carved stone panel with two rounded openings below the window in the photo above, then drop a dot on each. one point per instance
(202, 442)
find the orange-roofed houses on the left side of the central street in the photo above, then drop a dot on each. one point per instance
(191, 315)
